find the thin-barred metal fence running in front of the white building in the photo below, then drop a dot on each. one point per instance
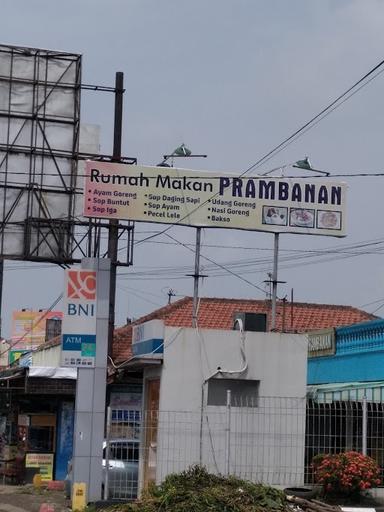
(272, 440)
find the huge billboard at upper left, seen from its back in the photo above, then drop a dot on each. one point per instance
(40, 94)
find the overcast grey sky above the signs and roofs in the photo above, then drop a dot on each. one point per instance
(232, 79)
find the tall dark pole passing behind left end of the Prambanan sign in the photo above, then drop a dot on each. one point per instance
(113, 233)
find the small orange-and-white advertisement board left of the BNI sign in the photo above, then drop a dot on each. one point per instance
(28, 328)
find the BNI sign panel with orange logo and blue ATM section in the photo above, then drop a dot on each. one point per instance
(78, 345)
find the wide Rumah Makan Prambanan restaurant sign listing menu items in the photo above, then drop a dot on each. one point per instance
(201, 199)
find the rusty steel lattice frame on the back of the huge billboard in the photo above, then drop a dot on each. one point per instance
(68, 238)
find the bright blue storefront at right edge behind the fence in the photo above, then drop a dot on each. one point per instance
(345, 391)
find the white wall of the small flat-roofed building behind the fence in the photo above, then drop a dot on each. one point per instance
(266, 442)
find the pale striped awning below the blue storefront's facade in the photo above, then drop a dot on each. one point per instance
(344, 391)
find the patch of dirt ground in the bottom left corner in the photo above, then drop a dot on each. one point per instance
(21, 498)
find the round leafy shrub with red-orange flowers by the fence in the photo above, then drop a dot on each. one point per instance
(349, 473)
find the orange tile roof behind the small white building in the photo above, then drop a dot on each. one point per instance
(217, 313)
